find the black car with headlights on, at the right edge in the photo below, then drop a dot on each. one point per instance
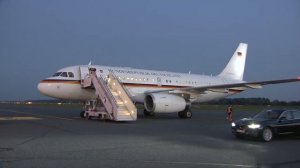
(268, 123)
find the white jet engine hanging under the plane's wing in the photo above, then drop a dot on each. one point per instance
(164, 103)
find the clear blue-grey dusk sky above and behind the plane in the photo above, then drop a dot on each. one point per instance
(38, 37)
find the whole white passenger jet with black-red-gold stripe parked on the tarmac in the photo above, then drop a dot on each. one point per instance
(159, 91)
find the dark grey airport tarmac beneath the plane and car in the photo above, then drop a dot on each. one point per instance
(55, 136)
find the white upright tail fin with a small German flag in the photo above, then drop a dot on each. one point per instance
(235, 67)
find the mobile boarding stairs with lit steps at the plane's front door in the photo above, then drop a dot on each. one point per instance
(112, 102)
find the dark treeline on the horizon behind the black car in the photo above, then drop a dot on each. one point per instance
(253, 101)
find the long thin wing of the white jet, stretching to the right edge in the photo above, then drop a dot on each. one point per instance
(230, 87)
